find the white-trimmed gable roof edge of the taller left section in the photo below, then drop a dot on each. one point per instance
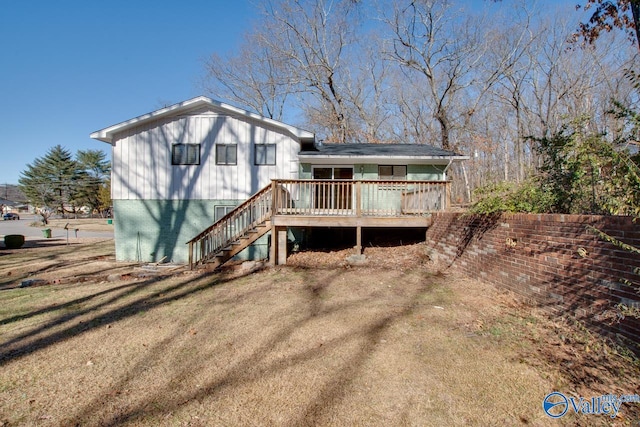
(108, 134)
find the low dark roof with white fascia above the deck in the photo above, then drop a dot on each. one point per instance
(373, 152)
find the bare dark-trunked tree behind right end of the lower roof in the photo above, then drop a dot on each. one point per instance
(432, 42)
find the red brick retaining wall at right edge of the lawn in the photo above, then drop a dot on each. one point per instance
(552, 260)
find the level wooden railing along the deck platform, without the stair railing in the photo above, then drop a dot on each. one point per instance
(360, 198)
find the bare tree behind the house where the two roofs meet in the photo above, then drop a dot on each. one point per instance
(313, 39)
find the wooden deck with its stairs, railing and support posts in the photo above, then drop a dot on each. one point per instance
(319, 203)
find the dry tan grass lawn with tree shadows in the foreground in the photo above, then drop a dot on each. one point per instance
(289, 346)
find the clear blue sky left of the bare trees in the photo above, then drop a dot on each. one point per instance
(71, 67)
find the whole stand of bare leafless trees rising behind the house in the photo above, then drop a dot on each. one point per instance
(419, 71)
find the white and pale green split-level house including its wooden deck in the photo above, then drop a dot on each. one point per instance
(203, 181)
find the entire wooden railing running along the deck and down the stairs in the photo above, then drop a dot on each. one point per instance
(320, 197)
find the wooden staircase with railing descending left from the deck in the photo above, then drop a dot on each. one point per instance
(234, 232)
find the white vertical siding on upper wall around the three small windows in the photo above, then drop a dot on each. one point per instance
(142, 159)
